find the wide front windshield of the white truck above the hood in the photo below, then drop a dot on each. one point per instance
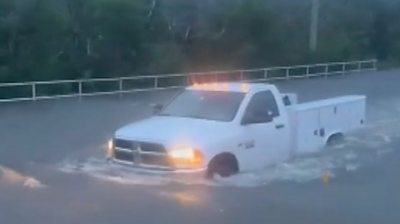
(210, 105)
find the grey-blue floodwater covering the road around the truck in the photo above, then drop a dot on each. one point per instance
(52, 170)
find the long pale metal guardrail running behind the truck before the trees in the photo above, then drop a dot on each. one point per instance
(11, 92)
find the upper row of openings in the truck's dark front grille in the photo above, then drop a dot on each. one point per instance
(144, 146)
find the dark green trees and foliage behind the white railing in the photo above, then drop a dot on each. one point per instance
(72, 39)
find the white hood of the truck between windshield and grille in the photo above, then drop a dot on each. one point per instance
(176, 130)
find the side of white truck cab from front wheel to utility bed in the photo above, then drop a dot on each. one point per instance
(263, 127)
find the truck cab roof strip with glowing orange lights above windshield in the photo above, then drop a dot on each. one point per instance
(231, 87)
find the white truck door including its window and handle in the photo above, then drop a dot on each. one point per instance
(265, 133)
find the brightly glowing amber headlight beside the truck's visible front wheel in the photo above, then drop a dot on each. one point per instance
(186, 158)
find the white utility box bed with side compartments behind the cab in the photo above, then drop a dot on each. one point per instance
(315, 122)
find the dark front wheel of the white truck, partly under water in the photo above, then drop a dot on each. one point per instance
(224, 165)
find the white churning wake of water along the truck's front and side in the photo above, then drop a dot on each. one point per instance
(360, 148)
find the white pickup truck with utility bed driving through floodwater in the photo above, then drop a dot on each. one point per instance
(228, 128)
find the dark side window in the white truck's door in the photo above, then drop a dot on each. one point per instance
(262, 105)
